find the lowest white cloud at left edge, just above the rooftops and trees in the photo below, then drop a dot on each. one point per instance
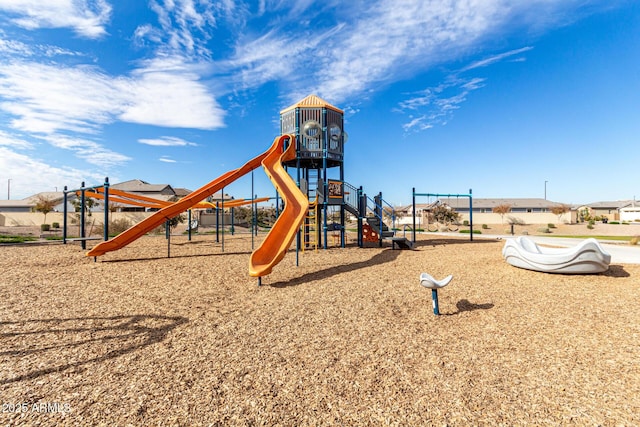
(31, 175)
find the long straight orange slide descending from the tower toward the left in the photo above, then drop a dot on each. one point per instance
(168, 212)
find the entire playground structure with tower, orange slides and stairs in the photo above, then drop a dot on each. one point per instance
(312, 141)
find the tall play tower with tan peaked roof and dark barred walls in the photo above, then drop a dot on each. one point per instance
(320, 137)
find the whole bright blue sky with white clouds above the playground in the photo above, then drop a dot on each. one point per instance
(495, 95)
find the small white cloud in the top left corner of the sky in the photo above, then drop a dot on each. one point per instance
(86, 17)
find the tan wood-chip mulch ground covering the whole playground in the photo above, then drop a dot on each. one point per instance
(348, 337)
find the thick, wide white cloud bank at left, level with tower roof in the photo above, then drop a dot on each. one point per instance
(51, 98)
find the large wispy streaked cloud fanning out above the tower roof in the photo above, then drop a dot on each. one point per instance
(358, 47)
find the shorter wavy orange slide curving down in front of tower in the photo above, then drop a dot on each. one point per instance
(275, 244)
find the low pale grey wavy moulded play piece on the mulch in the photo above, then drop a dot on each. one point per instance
(588, 257)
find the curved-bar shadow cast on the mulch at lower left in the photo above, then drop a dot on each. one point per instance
(119, 334)
